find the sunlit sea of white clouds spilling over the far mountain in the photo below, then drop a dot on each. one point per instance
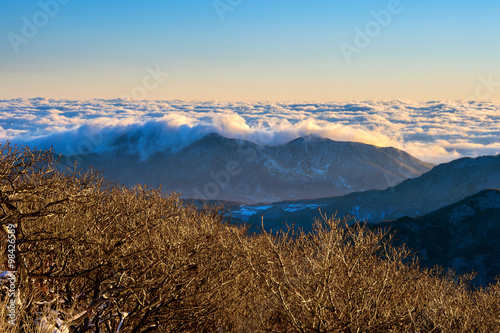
(434, 131)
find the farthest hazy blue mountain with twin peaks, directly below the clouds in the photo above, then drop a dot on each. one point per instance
(218, 168)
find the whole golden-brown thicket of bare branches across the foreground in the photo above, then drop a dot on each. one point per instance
(92, 257)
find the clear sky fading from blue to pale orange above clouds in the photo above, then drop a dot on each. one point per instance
(320, 50)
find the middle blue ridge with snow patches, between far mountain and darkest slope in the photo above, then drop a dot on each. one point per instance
(445, 184)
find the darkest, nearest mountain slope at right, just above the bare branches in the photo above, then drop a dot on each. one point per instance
(464, 236)
